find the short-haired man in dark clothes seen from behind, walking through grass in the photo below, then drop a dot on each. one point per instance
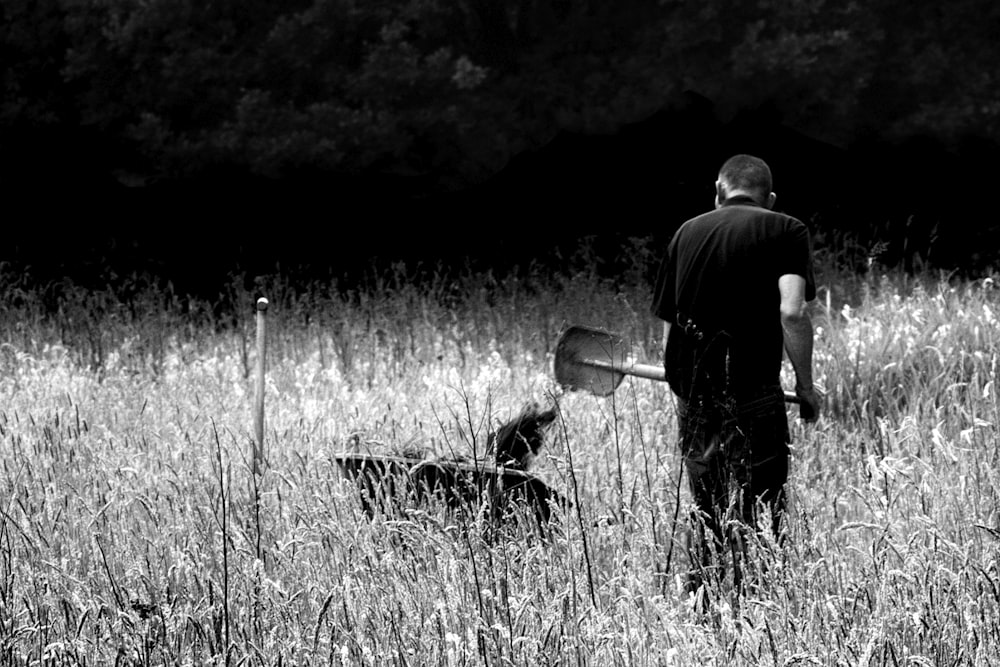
(732, 290)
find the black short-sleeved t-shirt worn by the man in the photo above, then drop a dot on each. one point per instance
(721, 270)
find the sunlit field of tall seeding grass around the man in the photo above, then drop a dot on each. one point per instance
(132, 532)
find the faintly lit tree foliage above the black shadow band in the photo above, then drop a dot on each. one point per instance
(442, 94)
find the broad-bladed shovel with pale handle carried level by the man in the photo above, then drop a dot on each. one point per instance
(597, 361)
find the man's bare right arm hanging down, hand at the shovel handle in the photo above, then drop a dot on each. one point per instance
(798, 335)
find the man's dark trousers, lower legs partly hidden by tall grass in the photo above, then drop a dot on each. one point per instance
(736, 458)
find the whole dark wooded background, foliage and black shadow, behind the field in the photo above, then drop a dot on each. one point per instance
(194, 139)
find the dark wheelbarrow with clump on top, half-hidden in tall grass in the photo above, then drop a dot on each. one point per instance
(503, 486)
